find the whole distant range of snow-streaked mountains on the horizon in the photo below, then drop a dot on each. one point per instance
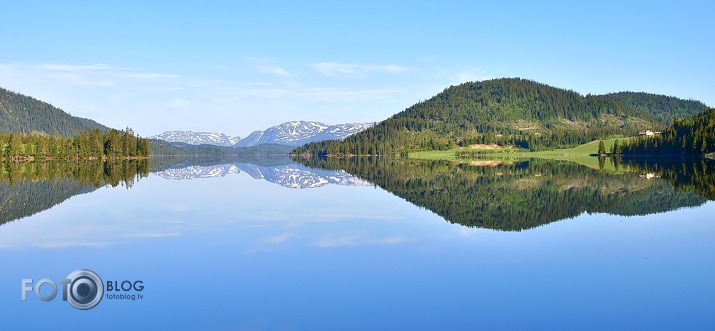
(293, 133)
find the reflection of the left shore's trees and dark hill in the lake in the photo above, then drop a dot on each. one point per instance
(27, 188)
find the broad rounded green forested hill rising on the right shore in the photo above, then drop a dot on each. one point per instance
(511, 111)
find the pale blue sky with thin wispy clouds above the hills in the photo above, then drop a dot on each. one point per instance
(239, 66)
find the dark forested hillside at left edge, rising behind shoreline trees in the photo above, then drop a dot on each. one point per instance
(23, 114)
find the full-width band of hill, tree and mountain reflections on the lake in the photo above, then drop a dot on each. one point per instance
(502, 195)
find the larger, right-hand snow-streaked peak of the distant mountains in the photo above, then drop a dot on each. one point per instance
(297, 133)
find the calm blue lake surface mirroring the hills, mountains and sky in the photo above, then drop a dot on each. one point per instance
(364, 244)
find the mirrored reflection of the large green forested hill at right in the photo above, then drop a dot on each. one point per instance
(522, 195)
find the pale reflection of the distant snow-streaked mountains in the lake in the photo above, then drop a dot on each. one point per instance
(291, 175)
